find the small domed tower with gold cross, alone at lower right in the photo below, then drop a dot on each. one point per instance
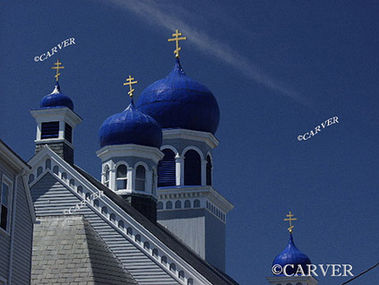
(291, 266)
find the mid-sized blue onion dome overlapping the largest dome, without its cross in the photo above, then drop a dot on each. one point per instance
(130, 127)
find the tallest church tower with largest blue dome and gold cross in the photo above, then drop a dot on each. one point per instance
(188, 204)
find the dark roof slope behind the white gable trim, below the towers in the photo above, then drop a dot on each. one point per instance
(211, 273)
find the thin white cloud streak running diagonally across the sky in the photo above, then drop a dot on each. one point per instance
(152, 12)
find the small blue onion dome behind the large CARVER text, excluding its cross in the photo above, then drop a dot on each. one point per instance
(292, 255)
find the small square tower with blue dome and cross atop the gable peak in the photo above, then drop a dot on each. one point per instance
(56, 121)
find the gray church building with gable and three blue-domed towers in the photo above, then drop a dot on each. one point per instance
(154, 218)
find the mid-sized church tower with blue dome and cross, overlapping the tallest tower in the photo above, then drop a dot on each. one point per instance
(129, 153)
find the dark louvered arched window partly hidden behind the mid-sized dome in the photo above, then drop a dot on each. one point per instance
(166, 169)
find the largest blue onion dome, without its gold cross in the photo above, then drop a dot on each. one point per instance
(177, 101)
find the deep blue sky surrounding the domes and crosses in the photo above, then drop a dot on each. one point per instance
(277, 69)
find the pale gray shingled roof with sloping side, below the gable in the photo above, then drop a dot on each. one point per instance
(67, 250)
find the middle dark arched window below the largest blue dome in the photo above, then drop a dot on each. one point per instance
(192, 168)
